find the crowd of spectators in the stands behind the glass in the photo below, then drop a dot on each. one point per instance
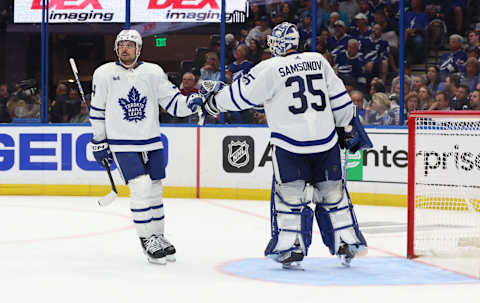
(360, 39)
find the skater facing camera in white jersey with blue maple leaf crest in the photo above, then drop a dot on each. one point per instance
(125, 118)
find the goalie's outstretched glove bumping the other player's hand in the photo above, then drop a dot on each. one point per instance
(206, 99)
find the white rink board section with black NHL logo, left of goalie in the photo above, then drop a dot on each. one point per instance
(235, 157)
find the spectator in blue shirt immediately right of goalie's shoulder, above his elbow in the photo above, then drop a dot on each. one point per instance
(350, 65)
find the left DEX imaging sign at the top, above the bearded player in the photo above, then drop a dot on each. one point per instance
(70, 11)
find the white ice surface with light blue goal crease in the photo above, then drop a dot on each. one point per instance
(68, 249)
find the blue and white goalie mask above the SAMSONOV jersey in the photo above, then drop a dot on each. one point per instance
(283, 37)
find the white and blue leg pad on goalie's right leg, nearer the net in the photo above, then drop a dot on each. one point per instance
(336, 220)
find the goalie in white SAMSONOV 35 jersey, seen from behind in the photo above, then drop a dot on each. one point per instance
(304, 102)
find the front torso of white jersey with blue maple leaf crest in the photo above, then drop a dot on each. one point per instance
(132, 109)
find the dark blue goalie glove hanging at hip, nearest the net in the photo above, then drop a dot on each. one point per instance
(353, 136)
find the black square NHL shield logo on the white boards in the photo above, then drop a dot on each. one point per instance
(238, 154)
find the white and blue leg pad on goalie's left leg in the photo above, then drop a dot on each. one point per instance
(291, 219)
